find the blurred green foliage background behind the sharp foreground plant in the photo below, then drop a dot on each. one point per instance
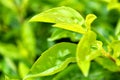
(21, 42)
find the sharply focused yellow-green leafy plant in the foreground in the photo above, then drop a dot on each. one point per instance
(90, 46)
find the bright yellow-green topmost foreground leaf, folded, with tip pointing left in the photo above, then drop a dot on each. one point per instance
(64, 17)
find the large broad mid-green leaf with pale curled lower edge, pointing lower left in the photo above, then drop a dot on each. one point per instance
(53, 60)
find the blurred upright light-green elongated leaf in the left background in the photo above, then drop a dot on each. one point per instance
(28, 39)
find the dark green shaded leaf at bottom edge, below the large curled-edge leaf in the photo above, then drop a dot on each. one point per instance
(70, 73)
